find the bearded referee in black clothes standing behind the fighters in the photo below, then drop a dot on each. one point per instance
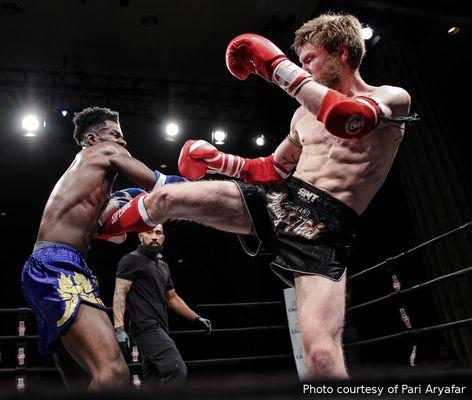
(144, 286)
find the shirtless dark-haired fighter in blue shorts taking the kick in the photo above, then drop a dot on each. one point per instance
(57, 283)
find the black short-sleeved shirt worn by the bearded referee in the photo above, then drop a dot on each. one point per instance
(146, 300)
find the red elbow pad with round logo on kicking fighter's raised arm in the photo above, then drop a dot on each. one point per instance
(347, 117)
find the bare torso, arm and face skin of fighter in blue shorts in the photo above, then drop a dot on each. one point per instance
(73, 208)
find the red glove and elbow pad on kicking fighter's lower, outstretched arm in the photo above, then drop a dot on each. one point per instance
(196, 153)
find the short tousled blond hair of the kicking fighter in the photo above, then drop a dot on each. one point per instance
(332, 31)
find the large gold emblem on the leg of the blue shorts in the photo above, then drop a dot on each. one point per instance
(71, 288)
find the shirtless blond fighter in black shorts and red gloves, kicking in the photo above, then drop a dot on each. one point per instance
(341, 145)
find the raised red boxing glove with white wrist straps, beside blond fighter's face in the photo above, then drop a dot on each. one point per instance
(253, 54)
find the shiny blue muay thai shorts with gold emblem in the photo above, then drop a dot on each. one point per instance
(55, 280)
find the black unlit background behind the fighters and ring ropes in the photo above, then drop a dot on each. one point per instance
(57, 55)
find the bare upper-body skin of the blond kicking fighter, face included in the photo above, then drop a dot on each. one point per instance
(351, 170)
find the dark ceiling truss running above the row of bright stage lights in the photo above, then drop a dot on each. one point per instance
(141, 97)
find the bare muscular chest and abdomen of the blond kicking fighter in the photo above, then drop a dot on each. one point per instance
(351, 170)
